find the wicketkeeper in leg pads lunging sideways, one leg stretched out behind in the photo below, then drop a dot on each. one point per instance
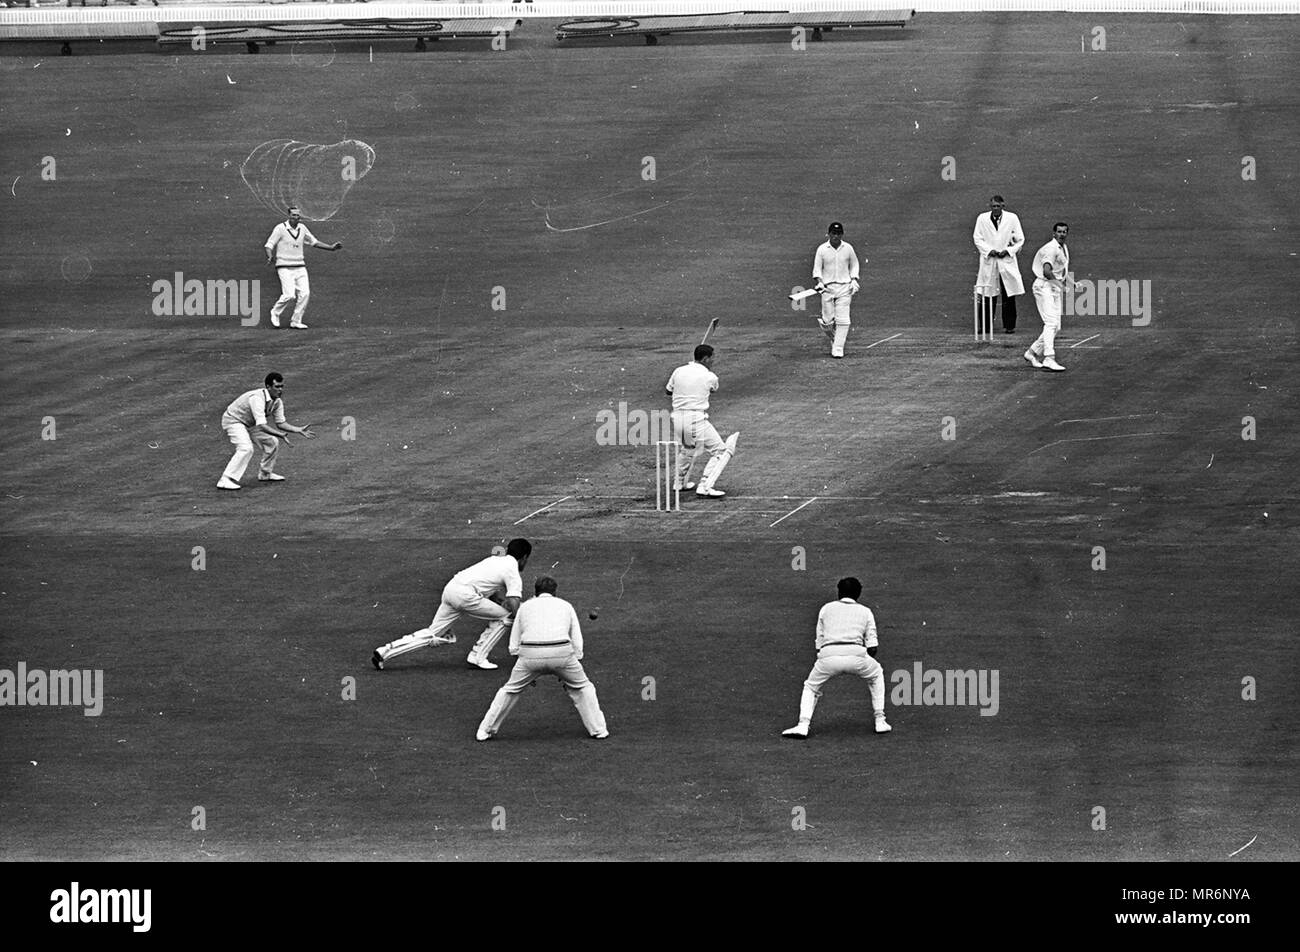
(471, 592)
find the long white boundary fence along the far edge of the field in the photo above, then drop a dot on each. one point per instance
(218, 12)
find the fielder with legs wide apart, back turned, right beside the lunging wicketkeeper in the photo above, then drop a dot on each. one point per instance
(549, 642)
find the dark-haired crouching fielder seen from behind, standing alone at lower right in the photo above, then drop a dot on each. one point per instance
(846, 644)
